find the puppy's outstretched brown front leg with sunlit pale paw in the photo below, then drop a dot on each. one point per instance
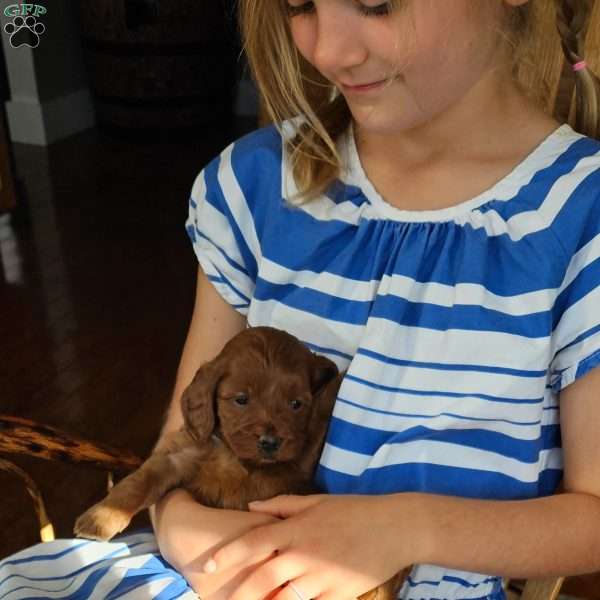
(163, 471)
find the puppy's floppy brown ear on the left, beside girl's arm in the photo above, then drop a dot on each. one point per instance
(198, 400)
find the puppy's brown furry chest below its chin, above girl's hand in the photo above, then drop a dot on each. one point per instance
(220, 480)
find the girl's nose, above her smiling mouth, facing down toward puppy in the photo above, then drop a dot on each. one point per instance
(338, 43)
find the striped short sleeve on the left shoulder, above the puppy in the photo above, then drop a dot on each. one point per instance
(221, 228)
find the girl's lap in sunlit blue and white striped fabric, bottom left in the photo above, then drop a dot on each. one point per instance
(128, 567)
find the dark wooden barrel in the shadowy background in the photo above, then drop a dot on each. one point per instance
(160, 67)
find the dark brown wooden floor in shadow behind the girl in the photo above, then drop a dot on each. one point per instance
(96, 290)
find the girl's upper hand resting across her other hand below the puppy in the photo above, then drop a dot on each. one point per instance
(330, 547)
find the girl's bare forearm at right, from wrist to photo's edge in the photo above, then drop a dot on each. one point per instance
(543, 537)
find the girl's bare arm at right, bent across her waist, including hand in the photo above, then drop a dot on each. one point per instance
(341, 546)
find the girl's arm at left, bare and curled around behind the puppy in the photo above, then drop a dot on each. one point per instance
(187, 531)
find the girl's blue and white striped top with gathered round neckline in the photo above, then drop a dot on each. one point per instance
(458, 326)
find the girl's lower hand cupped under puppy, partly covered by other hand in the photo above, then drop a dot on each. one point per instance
(188, 533)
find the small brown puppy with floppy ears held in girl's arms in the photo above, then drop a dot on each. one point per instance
(255, 420)
